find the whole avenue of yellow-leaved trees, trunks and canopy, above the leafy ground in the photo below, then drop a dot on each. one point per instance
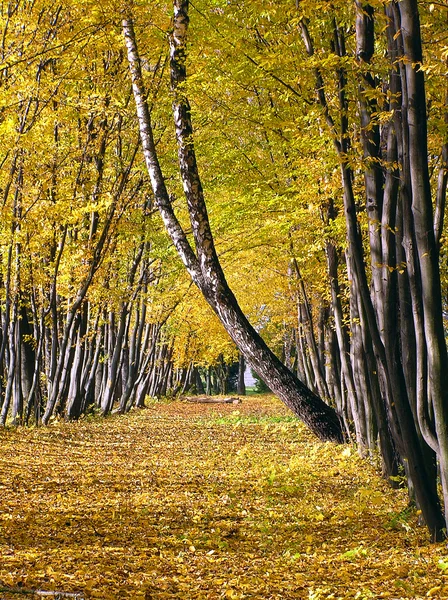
(276, 170)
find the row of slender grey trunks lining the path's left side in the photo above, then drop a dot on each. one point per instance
(111, 362)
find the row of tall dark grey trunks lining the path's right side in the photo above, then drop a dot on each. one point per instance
(397, 345)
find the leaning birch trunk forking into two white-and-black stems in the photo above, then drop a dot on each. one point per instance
(204, 266)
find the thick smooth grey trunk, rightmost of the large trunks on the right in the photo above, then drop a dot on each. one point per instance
(437, 359)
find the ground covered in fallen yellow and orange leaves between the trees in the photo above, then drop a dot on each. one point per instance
(201, 501)
